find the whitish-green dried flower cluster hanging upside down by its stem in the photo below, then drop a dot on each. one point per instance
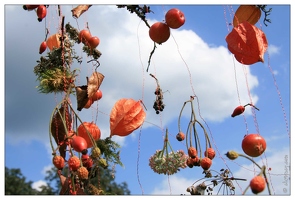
(168, 164)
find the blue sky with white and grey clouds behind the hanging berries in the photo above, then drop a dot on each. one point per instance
(194, 60)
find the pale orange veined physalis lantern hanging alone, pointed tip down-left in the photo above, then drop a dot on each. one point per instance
(126, 116)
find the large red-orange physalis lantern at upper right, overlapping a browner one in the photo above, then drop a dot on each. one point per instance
(247, 42)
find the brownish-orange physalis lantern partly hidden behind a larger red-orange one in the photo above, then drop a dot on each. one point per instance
(249, 13)
